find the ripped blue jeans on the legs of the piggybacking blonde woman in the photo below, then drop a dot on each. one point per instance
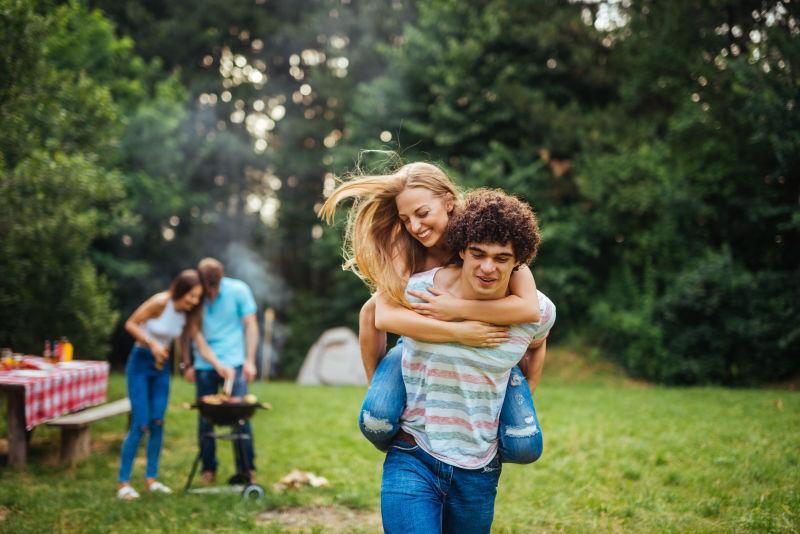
(379, 420)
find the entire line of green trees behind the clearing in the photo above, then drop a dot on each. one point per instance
(659, 144)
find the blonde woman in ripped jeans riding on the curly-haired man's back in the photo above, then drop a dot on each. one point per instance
(396, 228)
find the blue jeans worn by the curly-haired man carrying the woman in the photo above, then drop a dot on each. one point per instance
(420, 494)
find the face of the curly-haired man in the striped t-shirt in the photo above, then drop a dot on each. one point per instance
(487, 269)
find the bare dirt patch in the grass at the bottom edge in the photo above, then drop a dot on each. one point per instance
(330, 518)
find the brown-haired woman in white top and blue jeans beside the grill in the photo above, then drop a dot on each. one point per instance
(159, 320)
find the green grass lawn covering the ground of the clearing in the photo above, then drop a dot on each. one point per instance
(619, 457)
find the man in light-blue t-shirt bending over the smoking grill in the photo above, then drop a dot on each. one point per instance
(231, 330)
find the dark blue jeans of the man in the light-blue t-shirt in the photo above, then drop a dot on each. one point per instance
(208, 383)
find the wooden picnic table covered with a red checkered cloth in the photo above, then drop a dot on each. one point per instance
(34, 396)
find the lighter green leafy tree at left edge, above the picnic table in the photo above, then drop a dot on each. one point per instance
(57, 192)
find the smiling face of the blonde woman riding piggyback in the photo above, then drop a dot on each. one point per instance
(424, 214)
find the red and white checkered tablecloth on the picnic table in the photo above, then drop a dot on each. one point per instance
(58, 389)
